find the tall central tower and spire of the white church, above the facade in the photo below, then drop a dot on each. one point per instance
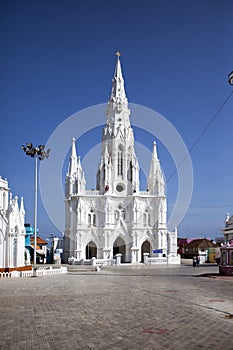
(118, 171)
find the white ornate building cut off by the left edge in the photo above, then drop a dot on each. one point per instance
(12, 230)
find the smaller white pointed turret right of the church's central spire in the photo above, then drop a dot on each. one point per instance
(156, 183)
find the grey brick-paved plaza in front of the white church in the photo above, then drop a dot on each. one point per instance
(127, 307)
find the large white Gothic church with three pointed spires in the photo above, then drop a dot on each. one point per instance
(117, 219)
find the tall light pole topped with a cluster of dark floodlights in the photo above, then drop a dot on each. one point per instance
(37, 153)
